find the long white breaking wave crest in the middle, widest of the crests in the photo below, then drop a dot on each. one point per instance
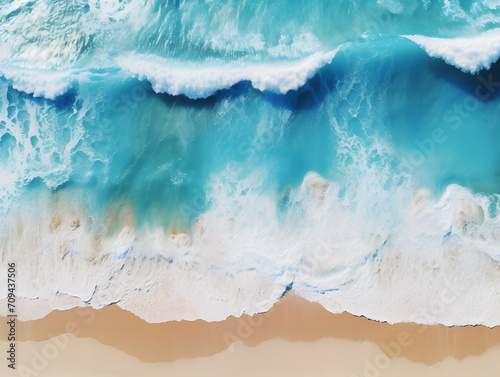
(197, 80)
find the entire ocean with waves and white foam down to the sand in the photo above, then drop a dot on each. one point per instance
(199, 159)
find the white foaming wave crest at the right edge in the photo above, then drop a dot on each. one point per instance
(470, 54)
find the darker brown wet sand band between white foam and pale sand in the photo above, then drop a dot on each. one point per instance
(293, 319)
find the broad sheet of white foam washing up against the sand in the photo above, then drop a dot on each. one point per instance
(240, 258)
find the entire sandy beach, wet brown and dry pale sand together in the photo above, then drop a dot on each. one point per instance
(293, 325)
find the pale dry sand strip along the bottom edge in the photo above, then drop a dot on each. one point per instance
(328, 357)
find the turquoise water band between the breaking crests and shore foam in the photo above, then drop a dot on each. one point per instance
(122, 141)
